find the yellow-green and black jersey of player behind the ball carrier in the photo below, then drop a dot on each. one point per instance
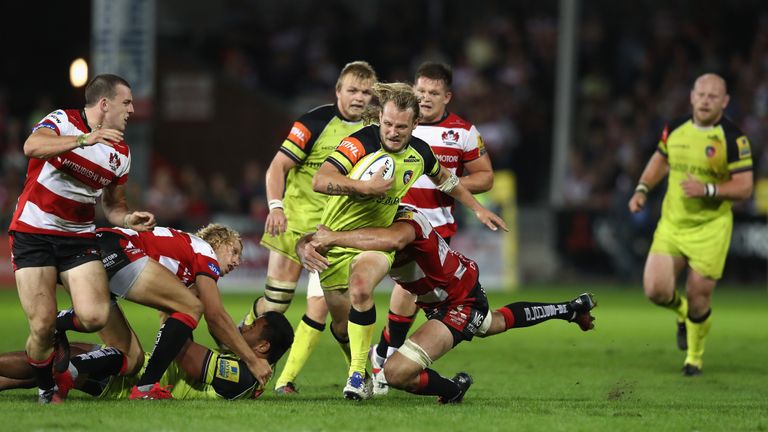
(312, 138)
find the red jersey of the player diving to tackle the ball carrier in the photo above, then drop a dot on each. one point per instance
(428, 267)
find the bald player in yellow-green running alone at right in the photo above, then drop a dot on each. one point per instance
(709, 163)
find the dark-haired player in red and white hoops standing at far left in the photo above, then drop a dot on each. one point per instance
(76, 156)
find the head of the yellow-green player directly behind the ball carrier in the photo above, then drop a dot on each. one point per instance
(353, 89)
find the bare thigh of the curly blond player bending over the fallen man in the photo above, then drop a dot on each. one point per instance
(158, 288)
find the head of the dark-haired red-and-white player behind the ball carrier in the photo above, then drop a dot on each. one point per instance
(433, 83)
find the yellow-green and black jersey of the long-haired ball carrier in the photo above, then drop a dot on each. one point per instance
(343, 212)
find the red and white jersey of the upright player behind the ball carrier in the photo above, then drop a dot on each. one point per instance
(455, 142)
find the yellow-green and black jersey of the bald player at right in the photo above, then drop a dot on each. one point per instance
(711, 155)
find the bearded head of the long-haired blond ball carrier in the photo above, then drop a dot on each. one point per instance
(399, 114)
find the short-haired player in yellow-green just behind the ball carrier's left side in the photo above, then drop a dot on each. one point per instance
(295, 209)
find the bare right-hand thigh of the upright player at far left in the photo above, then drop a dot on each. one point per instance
(89, 288)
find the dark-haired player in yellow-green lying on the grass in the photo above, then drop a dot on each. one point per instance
(197, 372)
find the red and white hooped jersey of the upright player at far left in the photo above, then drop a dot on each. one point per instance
(59, 196)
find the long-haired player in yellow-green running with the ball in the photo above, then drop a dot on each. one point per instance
(353, 274)
